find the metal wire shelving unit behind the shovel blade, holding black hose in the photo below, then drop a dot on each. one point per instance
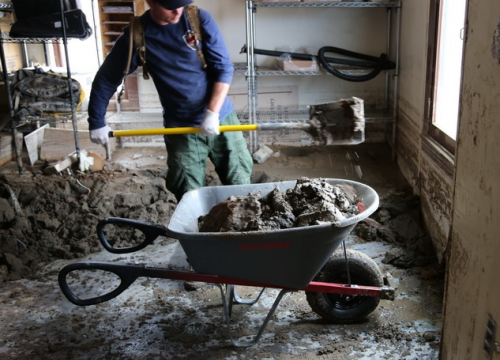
(251, 71)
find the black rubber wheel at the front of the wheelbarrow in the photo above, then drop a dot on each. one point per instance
(346, 309)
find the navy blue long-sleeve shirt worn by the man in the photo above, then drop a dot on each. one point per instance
(183, 86)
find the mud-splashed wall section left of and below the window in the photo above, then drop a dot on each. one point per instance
(426, 166)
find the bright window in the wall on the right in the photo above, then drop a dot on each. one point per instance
(446, 43)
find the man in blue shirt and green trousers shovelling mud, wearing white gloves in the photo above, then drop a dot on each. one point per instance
(190, 94)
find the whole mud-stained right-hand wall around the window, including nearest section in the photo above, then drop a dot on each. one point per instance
(459, 209)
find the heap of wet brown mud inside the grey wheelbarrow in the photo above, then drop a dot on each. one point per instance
(309, 202)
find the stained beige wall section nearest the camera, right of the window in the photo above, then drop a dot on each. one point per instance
(472, 290)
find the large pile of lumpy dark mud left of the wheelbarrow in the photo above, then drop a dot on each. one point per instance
(46, 218)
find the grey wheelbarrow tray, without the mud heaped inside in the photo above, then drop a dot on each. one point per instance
(286, 258)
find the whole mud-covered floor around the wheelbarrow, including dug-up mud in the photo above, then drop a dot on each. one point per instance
(49, 222)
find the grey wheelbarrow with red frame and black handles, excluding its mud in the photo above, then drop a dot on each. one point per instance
(341, 286)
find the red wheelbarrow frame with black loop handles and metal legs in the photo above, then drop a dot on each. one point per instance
(128, 273)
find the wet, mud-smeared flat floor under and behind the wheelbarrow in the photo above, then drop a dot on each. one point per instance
(159, 319)
